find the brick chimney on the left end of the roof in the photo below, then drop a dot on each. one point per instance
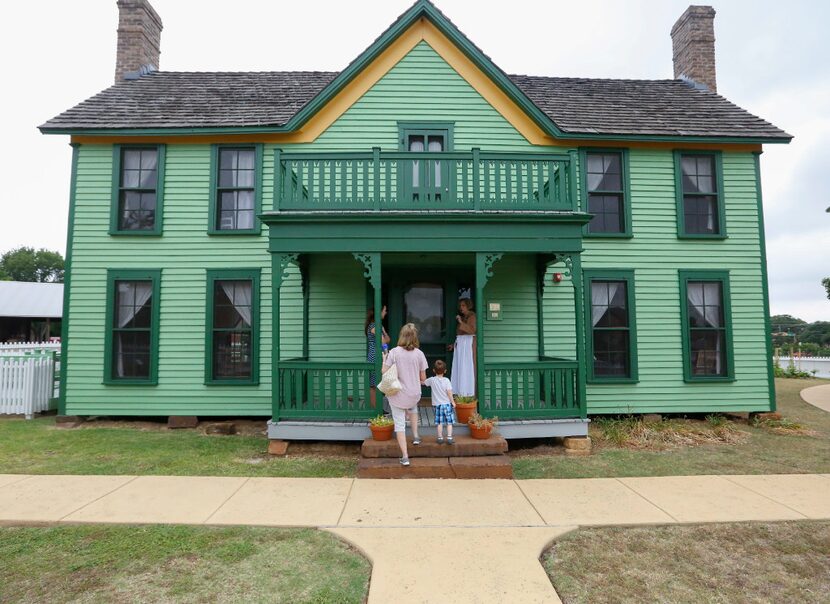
(139, 38)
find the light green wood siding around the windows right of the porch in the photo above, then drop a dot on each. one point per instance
(655, 253)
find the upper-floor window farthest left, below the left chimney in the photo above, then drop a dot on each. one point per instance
(137, 190)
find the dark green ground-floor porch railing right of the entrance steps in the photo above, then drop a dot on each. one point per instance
(547, 388)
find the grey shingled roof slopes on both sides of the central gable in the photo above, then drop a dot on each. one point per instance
(576, 105)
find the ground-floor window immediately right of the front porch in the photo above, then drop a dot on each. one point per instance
(612, 326)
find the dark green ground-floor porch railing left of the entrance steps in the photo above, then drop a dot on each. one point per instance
(325, 390)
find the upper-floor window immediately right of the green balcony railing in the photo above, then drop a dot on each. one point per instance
(606, 188)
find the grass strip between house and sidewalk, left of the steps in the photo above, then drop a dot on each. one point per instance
(37, 447)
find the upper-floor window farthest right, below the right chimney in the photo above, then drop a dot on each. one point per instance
(699, 195)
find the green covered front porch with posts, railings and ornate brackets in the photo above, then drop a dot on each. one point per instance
(321, 386)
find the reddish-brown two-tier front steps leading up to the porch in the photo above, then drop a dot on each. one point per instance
(466, 458)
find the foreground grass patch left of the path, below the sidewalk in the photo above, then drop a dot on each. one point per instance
(109, 564)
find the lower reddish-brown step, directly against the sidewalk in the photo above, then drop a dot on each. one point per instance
(489, 466)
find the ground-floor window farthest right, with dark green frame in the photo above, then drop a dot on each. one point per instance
(707, 326)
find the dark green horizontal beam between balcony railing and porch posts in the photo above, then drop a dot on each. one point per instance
(540, 232)
